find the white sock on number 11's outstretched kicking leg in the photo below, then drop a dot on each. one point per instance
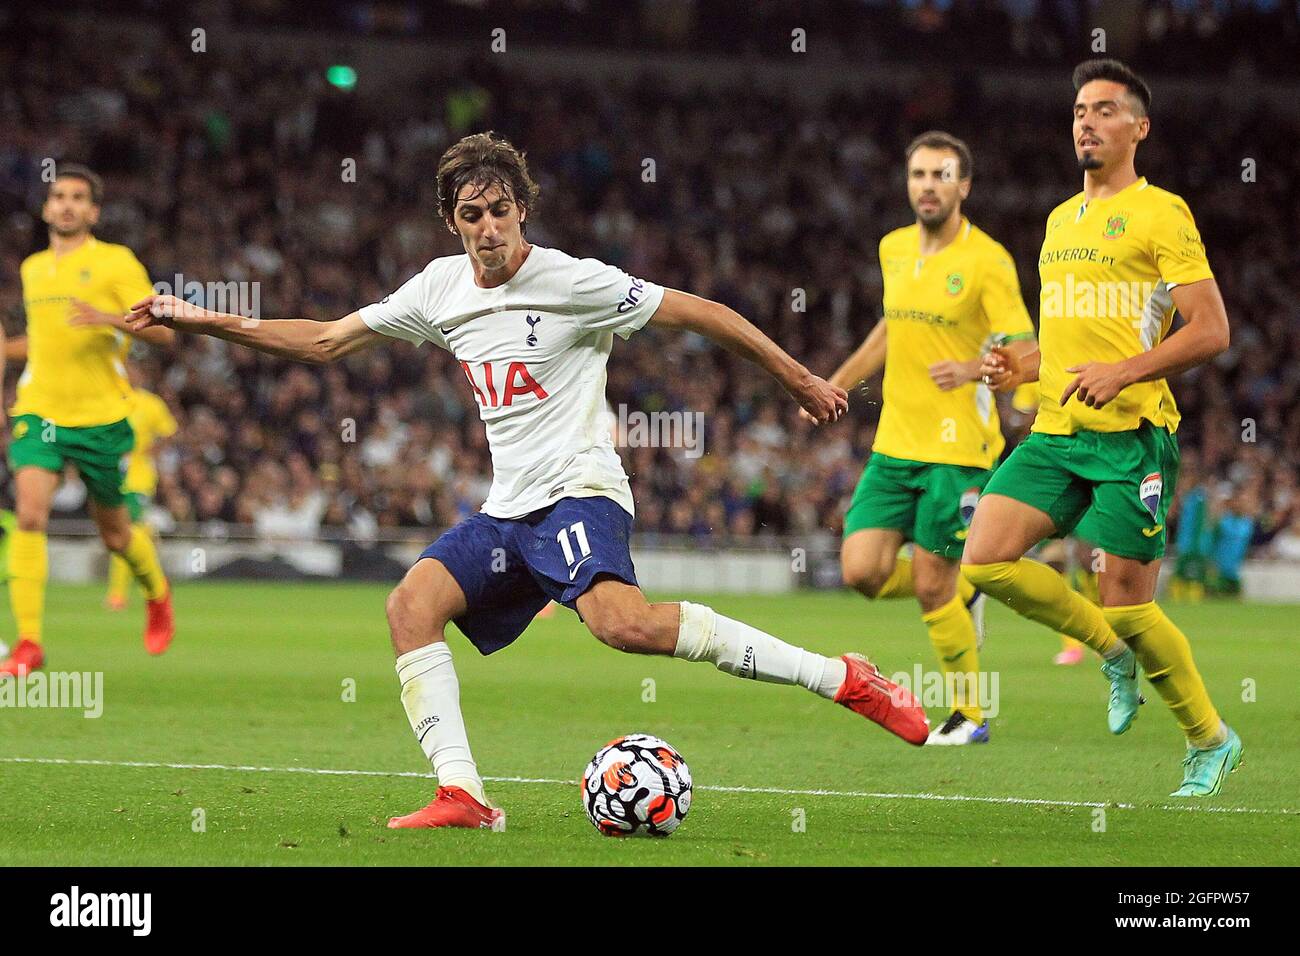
(747, 652)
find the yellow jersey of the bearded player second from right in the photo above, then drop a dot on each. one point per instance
(942, 309)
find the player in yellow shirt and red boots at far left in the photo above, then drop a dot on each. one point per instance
(73, 405)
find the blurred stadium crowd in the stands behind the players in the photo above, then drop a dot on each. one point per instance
(772, 209)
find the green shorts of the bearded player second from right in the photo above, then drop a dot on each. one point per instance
(930, 504)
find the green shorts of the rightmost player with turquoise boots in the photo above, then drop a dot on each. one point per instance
(1112, 488)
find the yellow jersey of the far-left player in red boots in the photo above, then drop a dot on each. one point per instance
(76, 377)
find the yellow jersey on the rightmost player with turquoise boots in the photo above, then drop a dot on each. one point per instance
(1108, 267)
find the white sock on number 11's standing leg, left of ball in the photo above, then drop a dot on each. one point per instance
(431, 695)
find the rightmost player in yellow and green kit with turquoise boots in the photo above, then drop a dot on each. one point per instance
(1117, 261)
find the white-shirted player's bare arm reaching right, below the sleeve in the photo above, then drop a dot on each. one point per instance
(730, 330)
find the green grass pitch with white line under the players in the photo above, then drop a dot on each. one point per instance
(255, 686)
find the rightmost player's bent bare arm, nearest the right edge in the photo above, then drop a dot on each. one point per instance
(1204, 336)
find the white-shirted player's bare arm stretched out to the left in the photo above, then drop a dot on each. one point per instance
(302, 340)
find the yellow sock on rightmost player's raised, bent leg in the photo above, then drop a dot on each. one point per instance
(1037, 592)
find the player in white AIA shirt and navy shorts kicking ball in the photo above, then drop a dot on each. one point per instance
(532, 330)
